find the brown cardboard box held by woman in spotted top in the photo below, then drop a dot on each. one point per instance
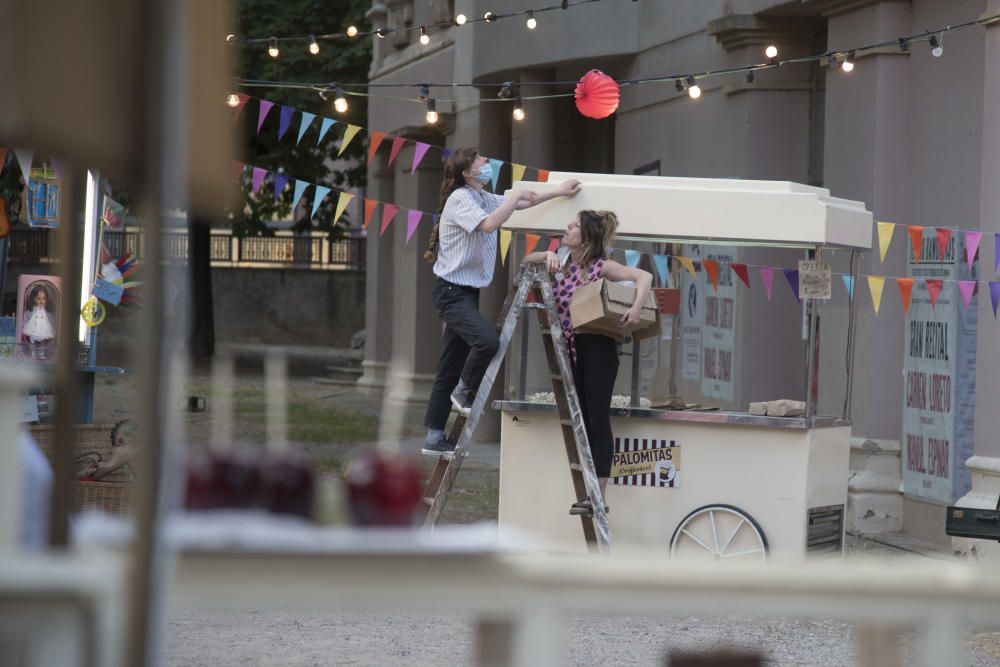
(598, 307)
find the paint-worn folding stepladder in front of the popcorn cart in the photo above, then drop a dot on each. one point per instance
(534, 280)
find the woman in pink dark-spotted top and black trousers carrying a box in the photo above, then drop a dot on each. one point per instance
(583, 259)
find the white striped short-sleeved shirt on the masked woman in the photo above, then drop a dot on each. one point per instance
(466, 255)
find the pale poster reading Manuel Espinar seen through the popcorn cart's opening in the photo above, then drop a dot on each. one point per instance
(718, 328)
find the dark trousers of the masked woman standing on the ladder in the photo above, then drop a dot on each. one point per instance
(467, 348)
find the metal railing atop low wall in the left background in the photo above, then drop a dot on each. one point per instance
(284, 249)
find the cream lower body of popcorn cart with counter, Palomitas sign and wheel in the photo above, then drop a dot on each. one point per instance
(696, 484)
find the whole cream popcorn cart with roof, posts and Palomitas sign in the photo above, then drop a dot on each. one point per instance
(696, 484)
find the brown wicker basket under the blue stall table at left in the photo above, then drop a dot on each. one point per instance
(113, 493)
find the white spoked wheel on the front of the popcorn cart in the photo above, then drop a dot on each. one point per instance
(718, 532)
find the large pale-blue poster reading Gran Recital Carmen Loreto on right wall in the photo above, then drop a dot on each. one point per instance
(939, 371)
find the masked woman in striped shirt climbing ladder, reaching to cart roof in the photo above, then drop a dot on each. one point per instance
(463, 246)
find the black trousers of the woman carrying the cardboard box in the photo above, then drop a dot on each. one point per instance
(594, 375)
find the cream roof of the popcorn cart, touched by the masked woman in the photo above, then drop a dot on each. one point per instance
(704, 210)
